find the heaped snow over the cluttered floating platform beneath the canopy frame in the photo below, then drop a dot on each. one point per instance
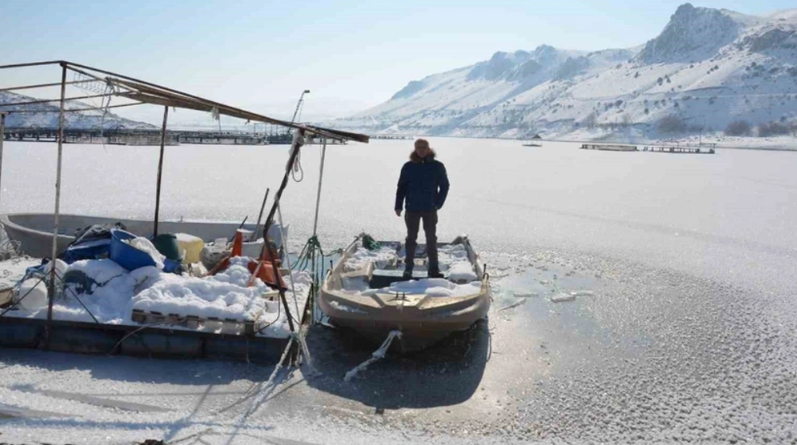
(110, 293)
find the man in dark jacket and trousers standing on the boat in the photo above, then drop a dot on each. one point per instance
(424, 185)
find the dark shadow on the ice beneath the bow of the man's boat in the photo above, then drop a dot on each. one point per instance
(444, 374)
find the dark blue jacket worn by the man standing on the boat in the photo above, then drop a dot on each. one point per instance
(423, 183)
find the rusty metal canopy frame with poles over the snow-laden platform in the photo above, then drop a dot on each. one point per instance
(143, 92)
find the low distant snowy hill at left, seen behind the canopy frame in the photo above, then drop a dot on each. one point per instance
(45, 115)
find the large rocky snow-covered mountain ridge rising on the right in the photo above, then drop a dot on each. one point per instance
(706, 69)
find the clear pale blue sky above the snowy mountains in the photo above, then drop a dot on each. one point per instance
(260, 55)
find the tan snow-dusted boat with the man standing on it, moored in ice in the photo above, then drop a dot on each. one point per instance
(371, 297)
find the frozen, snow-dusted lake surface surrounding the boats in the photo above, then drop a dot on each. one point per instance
(683, 326)
